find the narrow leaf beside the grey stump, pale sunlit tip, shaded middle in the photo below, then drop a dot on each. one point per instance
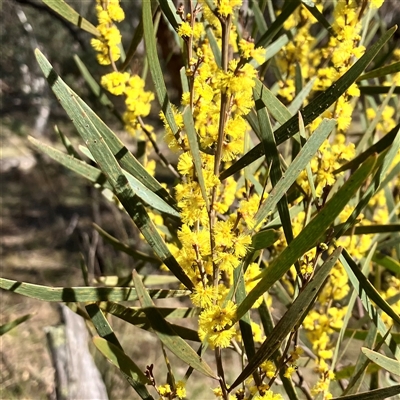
(125, 364)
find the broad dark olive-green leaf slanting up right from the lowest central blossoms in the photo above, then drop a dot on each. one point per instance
(309, 235)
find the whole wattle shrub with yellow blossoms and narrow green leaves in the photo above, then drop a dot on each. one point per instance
(245, 222)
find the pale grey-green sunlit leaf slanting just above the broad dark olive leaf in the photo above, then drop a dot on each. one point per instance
(298, 164)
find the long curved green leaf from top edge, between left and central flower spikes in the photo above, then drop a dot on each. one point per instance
(154, 63)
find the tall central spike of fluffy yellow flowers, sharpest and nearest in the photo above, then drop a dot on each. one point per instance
(197, 254)
